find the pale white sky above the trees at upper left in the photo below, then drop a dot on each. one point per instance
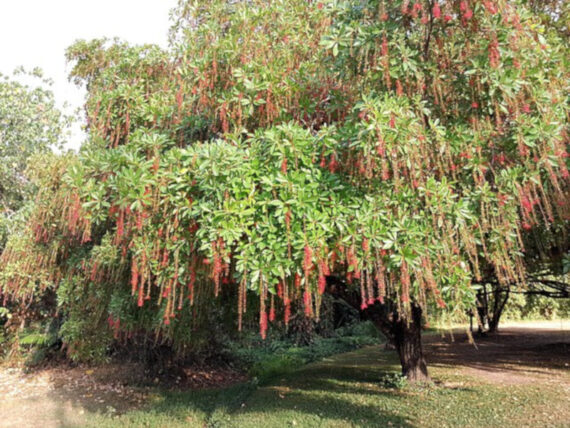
(35, 33)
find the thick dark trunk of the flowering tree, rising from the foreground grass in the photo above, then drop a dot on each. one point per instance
(408, 340)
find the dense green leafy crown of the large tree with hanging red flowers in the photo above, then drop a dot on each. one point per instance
(406, 147)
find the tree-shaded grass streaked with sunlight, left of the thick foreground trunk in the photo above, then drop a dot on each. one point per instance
(343, 390)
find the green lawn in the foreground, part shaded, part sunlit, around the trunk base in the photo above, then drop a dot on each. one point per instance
(344, 391)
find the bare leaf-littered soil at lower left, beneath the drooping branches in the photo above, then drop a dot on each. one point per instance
(57, 397)
